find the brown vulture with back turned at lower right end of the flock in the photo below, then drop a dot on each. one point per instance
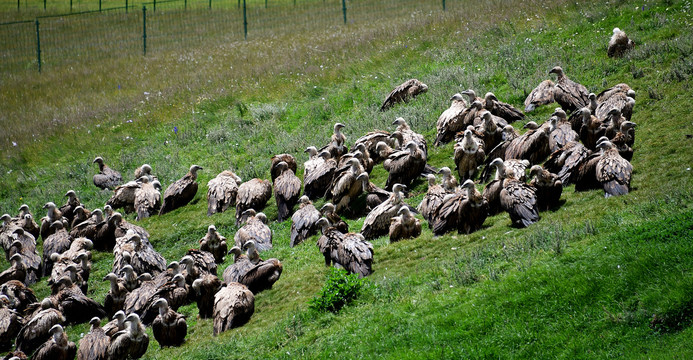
(613, 172)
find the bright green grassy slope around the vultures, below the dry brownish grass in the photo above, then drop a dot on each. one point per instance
(584, 282)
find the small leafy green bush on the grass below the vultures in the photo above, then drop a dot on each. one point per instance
(340, 289)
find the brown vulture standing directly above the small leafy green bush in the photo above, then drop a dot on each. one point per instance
(350, 251)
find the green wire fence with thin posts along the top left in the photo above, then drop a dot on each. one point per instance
(68, 32)
